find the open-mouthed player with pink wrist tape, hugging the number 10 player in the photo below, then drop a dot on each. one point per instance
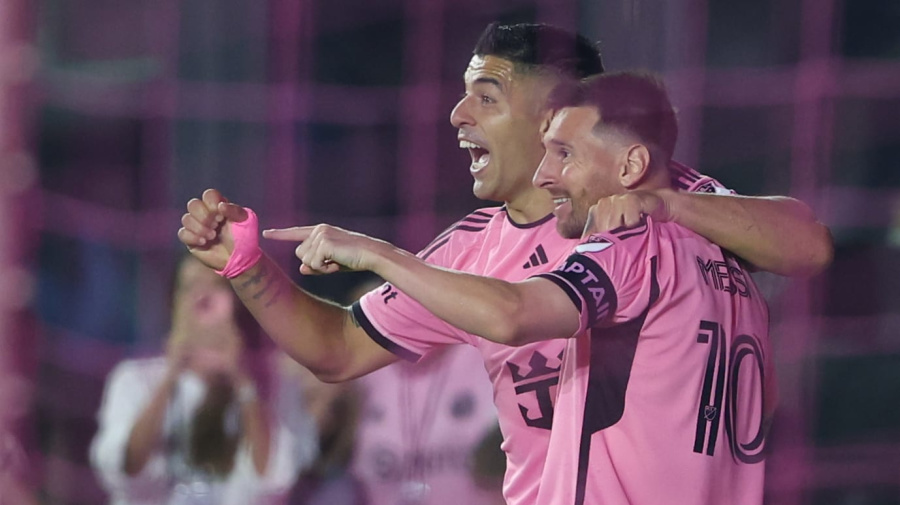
(499, 118)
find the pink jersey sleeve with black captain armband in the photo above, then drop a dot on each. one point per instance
(604, 276)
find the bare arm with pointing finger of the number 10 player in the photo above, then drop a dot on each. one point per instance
(508, 313)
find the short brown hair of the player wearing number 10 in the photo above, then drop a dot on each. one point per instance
(632, 102)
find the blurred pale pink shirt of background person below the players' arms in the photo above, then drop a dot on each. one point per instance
(421, 427)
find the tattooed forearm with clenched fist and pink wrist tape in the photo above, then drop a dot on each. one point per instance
(320, 335)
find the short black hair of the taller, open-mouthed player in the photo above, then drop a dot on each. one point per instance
(540, 46)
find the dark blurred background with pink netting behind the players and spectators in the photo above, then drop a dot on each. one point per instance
(114, 113)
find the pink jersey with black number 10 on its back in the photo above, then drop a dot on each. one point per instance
(667, 390)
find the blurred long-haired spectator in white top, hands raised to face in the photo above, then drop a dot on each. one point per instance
(207, 423)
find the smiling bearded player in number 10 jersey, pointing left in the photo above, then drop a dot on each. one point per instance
(667, 388)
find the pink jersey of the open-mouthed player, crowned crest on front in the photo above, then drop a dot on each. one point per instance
(488, 243)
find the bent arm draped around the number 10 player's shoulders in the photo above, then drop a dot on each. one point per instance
(777, 234)
